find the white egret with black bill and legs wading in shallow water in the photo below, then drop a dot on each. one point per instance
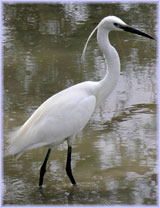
(66, 113)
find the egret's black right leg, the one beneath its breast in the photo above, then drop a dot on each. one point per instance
(68, 166)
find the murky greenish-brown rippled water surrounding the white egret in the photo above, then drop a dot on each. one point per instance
(115, 158)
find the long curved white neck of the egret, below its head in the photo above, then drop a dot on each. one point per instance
(108, 83)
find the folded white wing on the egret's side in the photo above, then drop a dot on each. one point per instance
(61, 116)
